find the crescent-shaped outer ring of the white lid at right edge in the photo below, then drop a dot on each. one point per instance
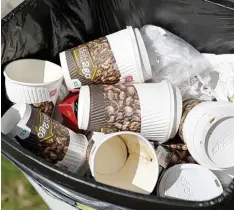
(197, 127)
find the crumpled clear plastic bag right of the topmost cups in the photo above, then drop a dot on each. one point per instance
(172, 58)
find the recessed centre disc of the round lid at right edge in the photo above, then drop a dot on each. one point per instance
(220, 143)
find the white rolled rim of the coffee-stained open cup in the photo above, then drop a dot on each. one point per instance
(108, 137)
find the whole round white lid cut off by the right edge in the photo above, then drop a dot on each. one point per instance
(208, 133)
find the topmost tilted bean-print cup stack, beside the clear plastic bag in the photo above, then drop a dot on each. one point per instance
(120, 57)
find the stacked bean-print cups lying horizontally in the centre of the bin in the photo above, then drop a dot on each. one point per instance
(154, 110)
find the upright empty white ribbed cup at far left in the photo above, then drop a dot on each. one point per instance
(35, 82)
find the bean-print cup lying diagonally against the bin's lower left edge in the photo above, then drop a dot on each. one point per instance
(46, 137)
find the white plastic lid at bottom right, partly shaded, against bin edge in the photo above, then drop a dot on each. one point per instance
(181, 182)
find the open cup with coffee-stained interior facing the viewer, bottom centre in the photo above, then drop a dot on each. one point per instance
(125, 160)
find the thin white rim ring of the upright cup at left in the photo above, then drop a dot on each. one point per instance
(41, 84)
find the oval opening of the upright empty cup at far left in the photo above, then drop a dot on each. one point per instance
(33, 72)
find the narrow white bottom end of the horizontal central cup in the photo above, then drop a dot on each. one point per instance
(84, 108)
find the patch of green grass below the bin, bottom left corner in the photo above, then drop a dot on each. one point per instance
(17, 192)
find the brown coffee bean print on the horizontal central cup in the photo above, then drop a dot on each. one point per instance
(122, 107)
